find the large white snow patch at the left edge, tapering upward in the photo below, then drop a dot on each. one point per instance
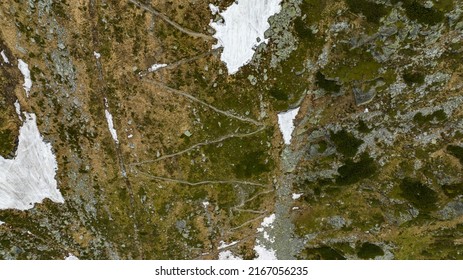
(30, 177)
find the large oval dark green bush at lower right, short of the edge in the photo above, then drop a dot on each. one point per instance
(419, 195)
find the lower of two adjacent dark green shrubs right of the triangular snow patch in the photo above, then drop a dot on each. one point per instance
(352, 172)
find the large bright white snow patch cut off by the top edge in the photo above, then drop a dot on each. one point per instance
(243, 30)
